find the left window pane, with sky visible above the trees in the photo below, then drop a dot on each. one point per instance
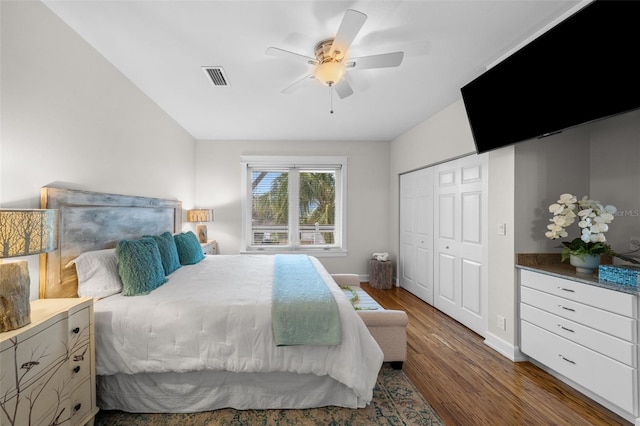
(270, 207)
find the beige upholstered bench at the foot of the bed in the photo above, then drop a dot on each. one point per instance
(388, 327)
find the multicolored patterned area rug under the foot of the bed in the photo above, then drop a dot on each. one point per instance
(396, 401)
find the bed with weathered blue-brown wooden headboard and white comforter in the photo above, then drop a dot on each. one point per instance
(205, 338)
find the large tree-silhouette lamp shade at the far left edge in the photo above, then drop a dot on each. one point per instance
(27, 232)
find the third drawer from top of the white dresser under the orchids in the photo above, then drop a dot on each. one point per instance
(618, 349)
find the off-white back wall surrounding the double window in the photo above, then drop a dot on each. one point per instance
(218, 187)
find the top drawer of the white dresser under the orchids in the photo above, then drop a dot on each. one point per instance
(613, 301)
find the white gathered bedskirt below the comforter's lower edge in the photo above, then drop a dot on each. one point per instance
(213, 390)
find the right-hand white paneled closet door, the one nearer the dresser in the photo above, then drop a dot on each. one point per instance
(460, 217)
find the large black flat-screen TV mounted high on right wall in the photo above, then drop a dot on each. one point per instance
(583, 69)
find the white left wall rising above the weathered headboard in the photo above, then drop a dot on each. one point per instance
(68, 116)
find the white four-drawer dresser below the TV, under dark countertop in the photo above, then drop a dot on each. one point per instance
(584, 334)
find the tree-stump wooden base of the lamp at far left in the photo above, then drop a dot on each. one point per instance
(15, 307)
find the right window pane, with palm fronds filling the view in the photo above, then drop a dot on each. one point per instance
(317, 212)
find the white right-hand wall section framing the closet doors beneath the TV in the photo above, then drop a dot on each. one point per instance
(443, 137)
